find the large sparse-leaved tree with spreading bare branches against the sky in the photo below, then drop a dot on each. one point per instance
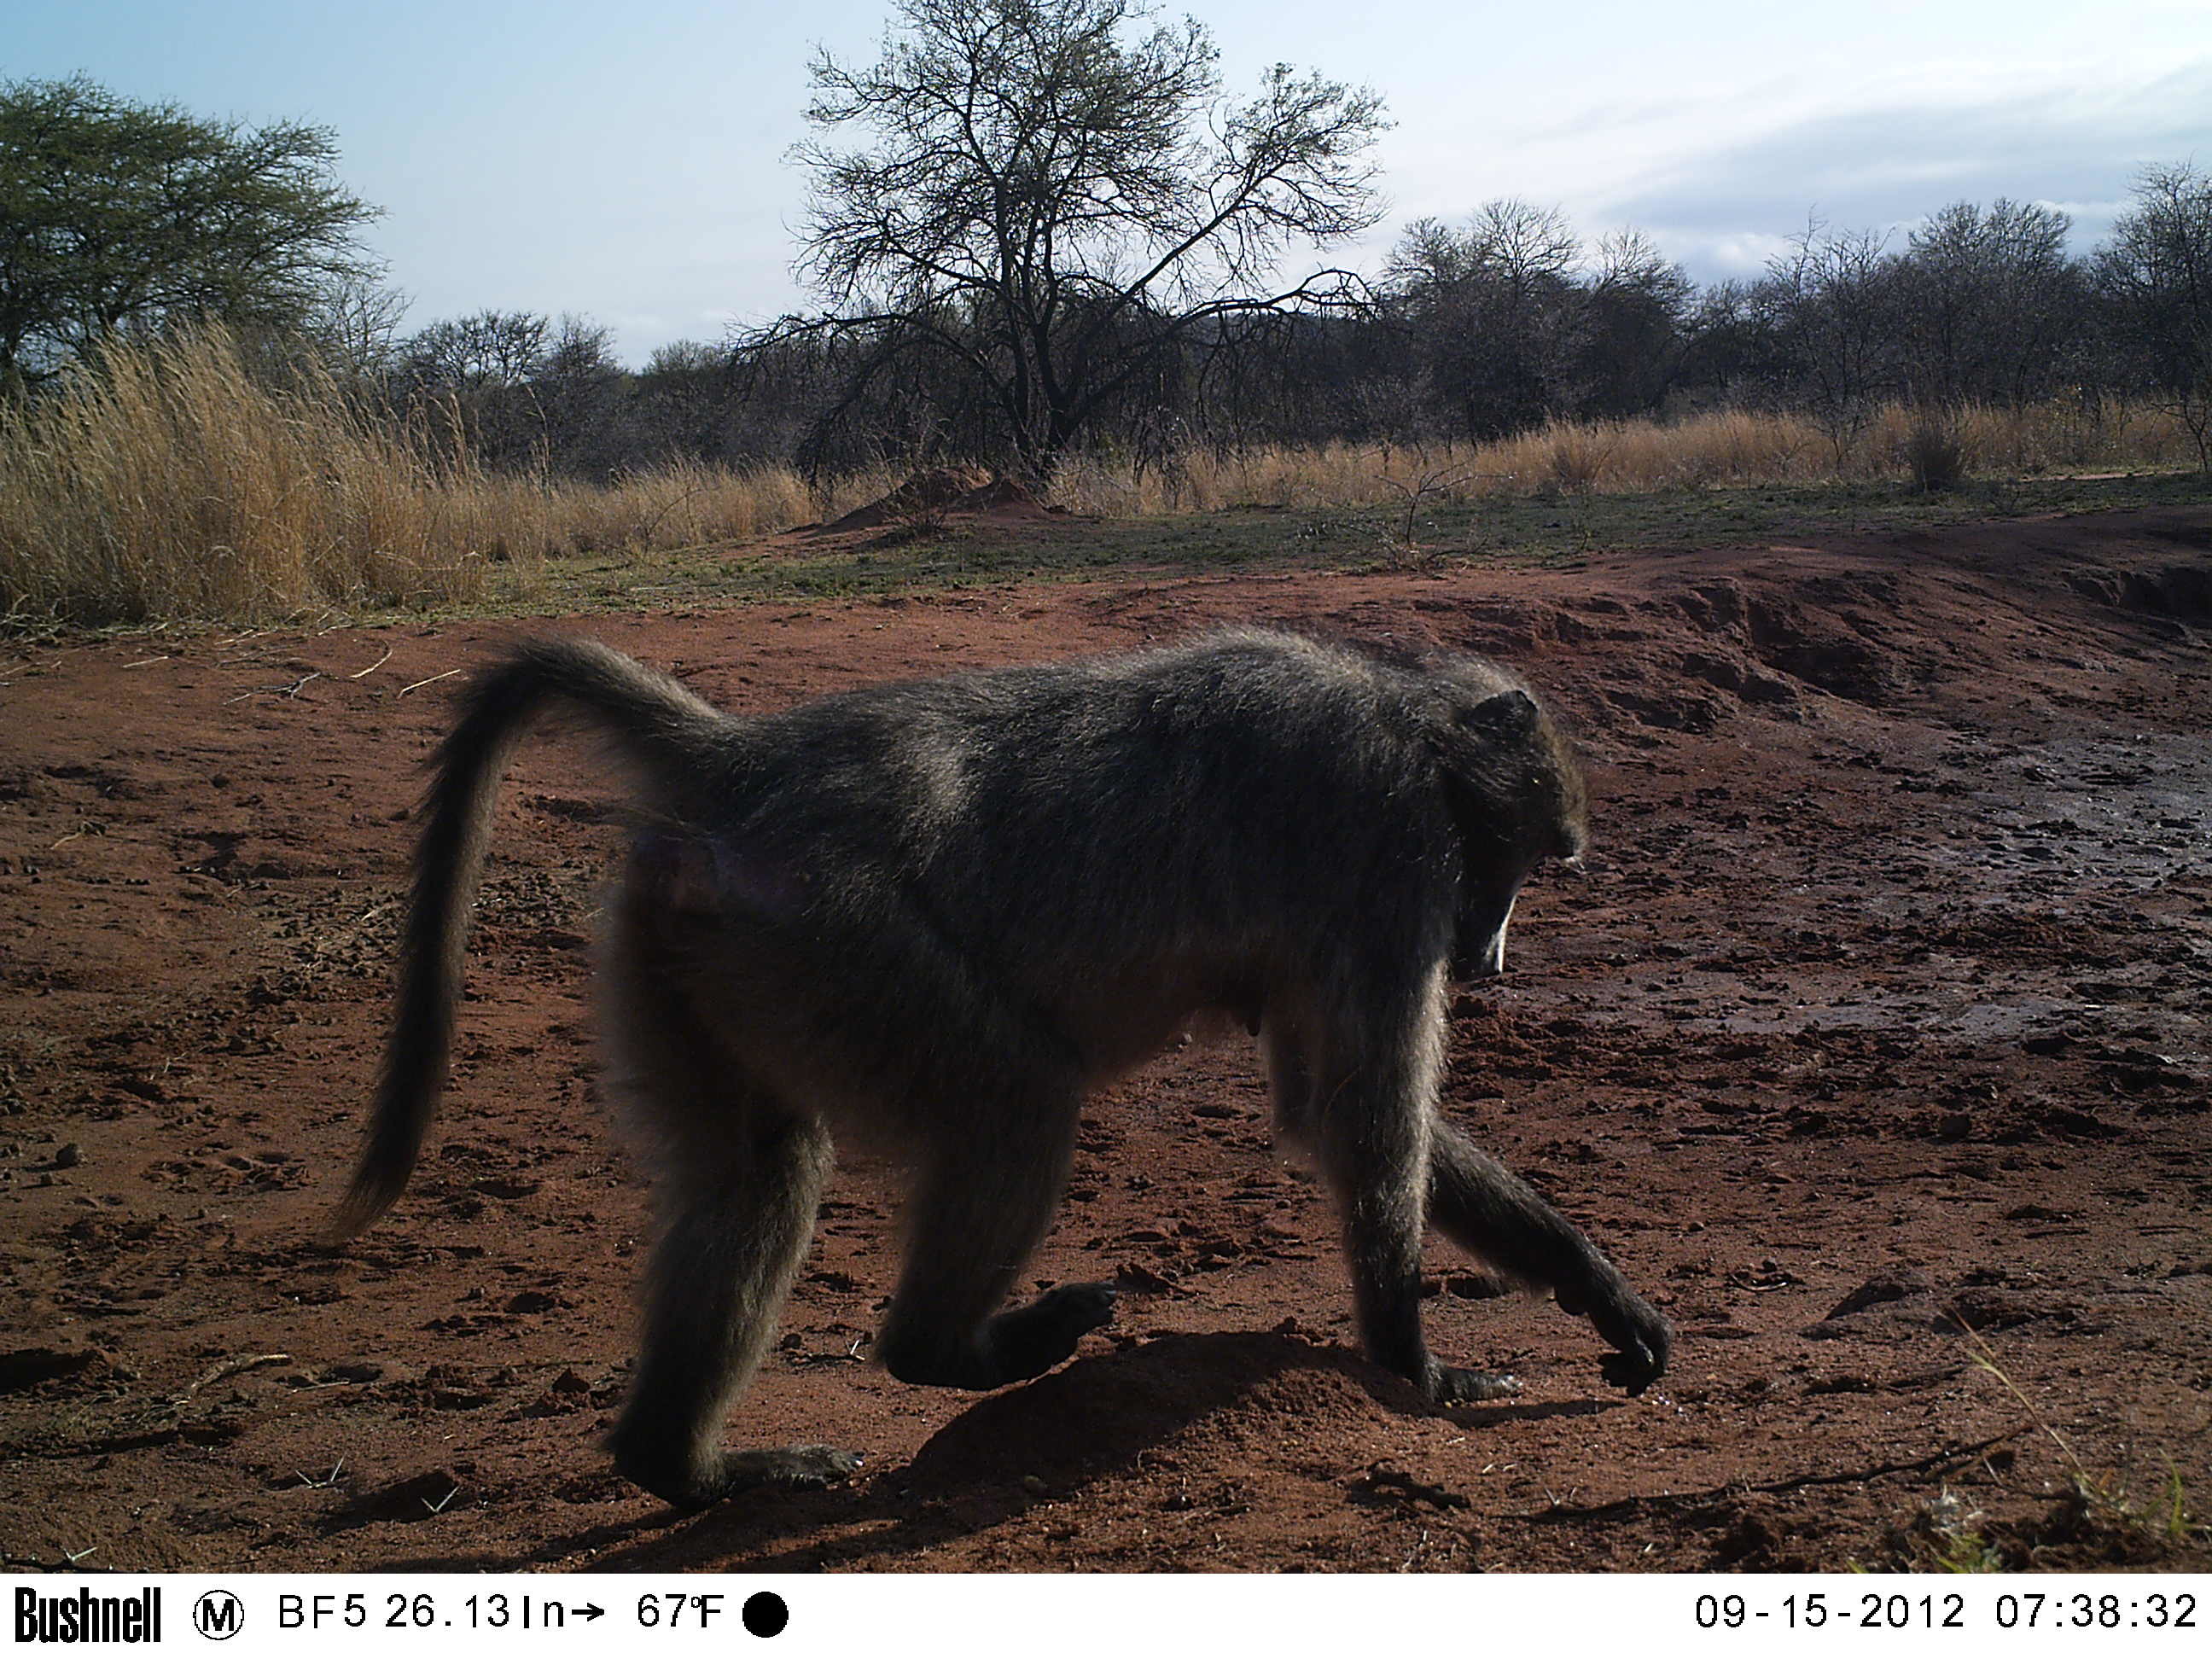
(1056, 205)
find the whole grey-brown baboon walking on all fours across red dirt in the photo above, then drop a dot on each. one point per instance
(941, 912)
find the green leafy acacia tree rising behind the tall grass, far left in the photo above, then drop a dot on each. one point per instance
(123, 216)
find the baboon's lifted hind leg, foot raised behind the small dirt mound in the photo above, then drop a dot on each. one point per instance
(979, 1211)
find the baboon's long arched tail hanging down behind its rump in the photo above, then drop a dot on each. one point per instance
(651, 720)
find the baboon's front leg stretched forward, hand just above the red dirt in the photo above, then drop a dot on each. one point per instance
(1496, 1215)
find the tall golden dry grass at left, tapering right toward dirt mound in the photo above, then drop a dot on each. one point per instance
(174, 483)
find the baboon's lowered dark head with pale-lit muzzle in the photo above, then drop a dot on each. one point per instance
(1516, 800)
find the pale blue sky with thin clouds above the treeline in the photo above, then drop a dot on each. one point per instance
(627, 163)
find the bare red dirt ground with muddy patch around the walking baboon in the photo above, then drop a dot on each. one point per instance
(1879, 1016)
